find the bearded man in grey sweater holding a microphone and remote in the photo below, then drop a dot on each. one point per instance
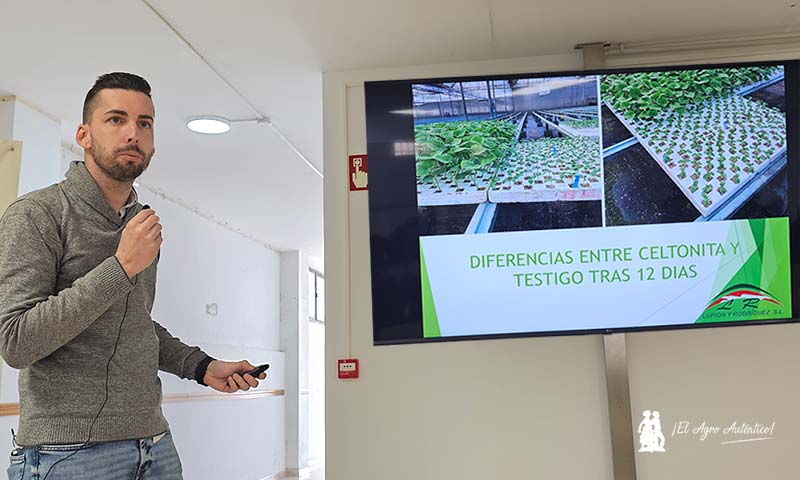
(77, 284)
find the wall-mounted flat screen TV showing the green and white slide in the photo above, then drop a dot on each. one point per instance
(583, 202)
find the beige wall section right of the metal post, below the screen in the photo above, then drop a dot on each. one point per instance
(719, 376)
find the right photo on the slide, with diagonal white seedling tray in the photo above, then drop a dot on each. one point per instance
(694, 145)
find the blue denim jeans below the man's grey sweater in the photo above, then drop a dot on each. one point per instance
(151, 458)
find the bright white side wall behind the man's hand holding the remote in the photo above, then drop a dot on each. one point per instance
(203, 263)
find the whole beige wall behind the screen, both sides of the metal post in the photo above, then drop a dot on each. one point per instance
(531, 408)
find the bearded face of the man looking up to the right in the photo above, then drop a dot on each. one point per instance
(121, 133)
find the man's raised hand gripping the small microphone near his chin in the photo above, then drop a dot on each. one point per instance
(140, 242)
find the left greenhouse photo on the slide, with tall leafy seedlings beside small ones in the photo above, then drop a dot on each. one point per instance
(508, 155)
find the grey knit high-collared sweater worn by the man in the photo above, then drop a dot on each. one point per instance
(63, 296)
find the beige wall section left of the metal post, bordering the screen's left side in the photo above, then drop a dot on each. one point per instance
(522, 408)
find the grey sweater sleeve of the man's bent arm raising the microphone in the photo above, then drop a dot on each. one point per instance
(34, 320)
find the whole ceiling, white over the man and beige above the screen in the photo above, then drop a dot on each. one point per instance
(273, 52)
